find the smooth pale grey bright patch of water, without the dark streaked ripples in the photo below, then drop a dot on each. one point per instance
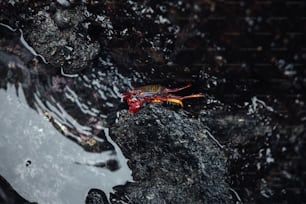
(42, 165)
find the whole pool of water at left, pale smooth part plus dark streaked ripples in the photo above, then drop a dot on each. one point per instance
(37, 159)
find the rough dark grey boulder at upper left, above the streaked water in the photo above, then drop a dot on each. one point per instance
(66, 47)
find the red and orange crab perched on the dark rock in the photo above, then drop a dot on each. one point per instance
(141, 96)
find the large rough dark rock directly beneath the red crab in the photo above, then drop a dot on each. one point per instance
(172, 158)
